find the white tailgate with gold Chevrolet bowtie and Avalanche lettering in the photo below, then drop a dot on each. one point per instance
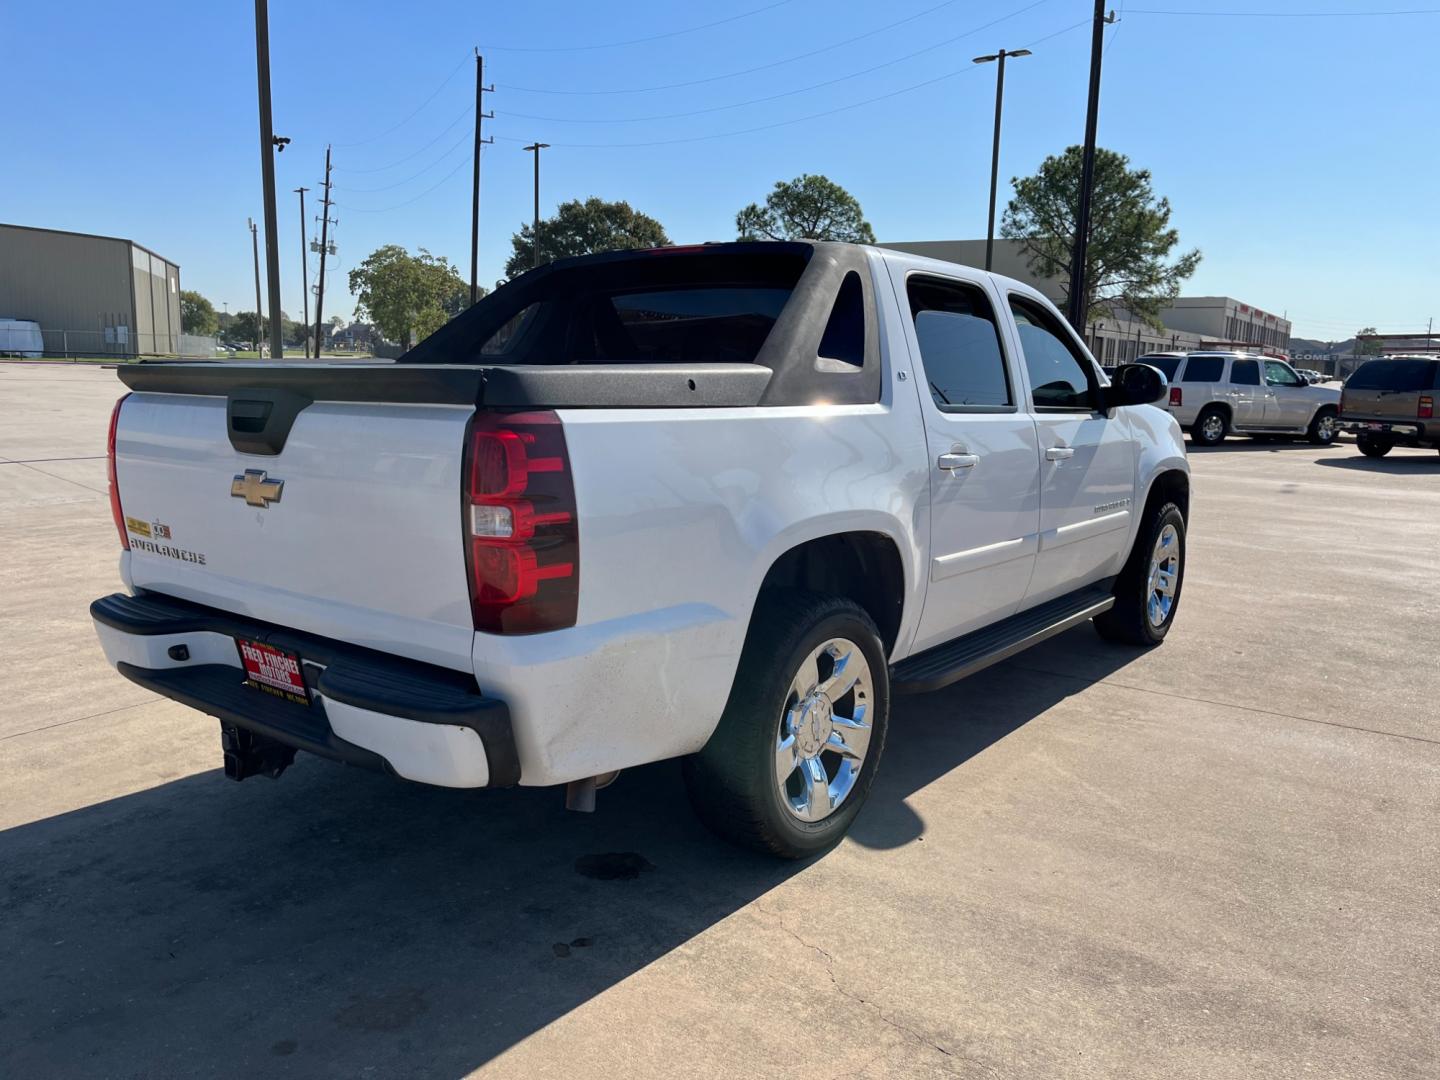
(352, 531)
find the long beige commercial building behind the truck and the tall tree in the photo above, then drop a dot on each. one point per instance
(1190, 323)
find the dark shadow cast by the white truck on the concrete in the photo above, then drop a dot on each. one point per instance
(343, 924)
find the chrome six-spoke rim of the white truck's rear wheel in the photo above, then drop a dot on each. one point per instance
(824, 731)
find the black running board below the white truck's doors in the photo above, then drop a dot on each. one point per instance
(953, 662)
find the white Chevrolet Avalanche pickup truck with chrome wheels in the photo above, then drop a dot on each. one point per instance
(709, 503)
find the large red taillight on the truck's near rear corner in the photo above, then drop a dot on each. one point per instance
(522, 541)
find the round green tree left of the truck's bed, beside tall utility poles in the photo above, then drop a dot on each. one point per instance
(408, 297)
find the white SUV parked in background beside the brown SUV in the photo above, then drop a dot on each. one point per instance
(1219, 394)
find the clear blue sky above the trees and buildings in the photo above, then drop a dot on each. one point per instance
(1300, 152)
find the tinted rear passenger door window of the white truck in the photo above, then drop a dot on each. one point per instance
(960, 348)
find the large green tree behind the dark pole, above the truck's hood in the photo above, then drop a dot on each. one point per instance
(1131, 237)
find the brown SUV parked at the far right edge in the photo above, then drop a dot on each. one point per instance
(1392, 404)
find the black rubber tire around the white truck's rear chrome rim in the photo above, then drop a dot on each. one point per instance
(732, 781)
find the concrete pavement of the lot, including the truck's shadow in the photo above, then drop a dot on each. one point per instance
(1213, 860)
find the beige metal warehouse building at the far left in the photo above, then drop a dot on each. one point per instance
(93, 296)
